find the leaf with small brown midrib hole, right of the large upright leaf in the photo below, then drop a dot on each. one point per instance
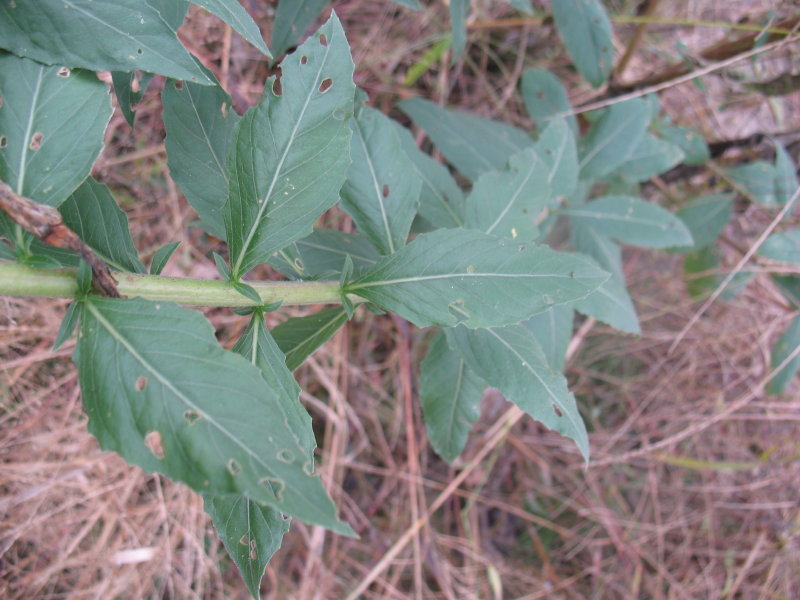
(381, 192)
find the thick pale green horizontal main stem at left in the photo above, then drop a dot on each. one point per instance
(20, 280)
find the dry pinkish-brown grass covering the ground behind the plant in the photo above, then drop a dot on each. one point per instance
(693, 488)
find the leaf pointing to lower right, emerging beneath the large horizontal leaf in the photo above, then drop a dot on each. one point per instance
(510, 359)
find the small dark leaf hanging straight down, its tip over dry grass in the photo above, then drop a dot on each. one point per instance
(450, 394)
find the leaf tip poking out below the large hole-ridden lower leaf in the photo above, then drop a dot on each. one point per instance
(251, 532)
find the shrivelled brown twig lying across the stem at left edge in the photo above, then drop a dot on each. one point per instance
(45, 223)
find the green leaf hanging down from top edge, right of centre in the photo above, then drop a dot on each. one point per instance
(585, 29)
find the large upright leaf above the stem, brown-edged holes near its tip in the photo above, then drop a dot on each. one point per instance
(290, 153)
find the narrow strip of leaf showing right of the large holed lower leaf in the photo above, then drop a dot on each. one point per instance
(261, 350)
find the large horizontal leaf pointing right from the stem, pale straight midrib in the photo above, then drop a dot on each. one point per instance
(458, 275)
